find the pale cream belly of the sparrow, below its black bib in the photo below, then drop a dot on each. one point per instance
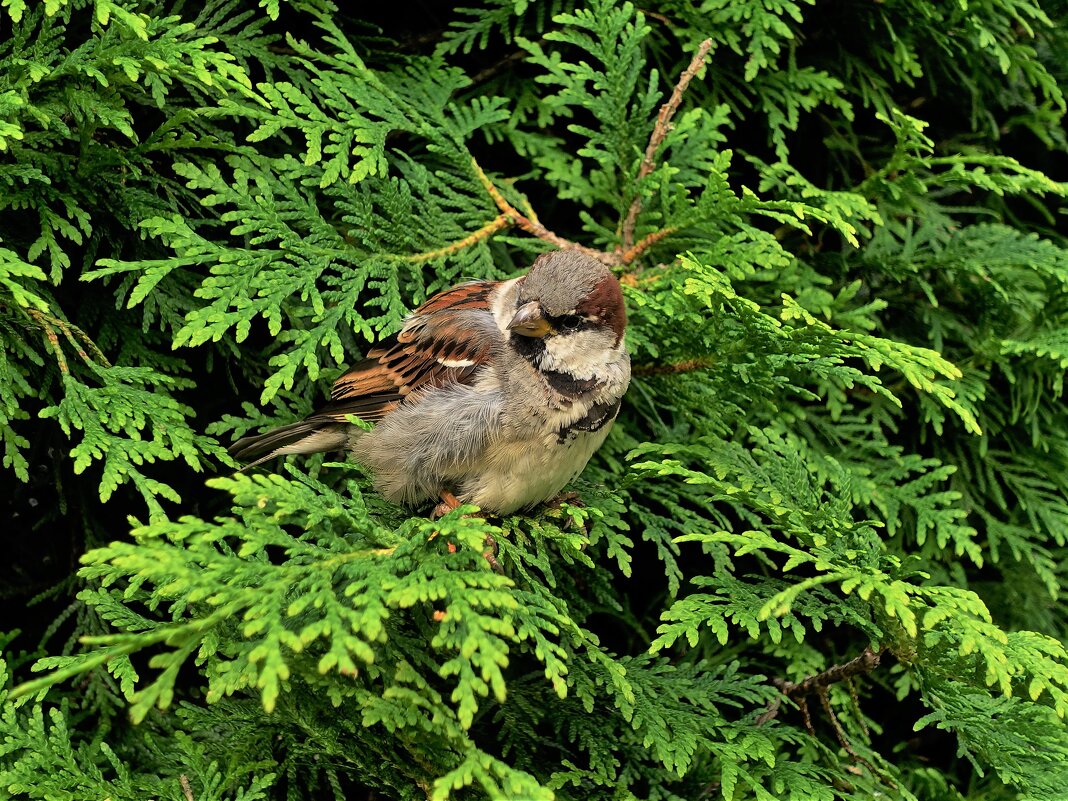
(522, 475)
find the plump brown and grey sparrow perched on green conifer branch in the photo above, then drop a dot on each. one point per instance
(494, 394)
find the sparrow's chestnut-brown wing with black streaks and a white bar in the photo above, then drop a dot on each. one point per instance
(447, 341)
